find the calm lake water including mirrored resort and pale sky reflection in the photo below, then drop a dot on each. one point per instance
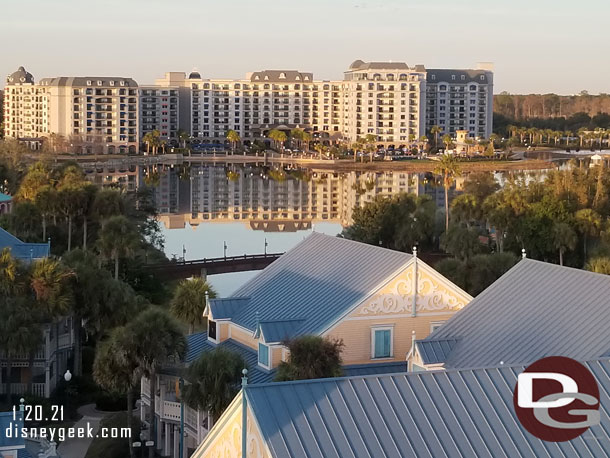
(250, 208)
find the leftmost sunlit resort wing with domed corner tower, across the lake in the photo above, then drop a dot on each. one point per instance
(75, 114)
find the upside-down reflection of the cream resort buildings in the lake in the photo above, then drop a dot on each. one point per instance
(263, 198)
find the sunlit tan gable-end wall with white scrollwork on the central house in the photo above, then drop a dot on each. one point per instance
(437, 300)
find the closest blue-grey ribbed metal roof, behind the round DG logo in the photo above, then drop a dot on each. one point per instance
(440, 413)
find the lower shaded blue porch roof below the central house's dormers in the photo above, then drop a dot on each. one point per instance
(199, 343)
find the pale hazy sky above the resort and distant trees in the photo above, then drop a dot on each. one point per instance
(537, 45)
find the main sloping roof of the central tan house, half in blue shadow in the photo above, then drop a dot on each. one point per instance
(320, 279)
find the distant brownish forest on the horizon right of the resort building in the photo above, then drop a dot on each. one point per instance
(551, 111)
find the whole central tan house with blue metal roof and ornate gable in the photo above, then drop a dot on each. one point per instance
(371, 298)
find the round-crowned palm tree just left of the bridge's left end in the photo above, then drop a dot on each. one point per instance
(118, 238)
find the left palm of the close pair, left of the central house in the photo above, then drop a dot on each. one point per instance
(116, 370)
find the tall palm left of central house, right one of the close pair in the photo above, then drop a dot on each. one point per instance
(157, 340)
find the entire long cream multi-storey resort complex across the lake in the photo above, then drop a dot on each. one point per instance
(393, 101)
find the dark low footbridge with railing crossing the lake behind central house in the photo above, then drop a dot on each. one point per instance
(173, 270)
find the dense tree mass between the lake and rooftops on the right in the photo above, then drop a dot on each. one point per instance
(564, 218)
